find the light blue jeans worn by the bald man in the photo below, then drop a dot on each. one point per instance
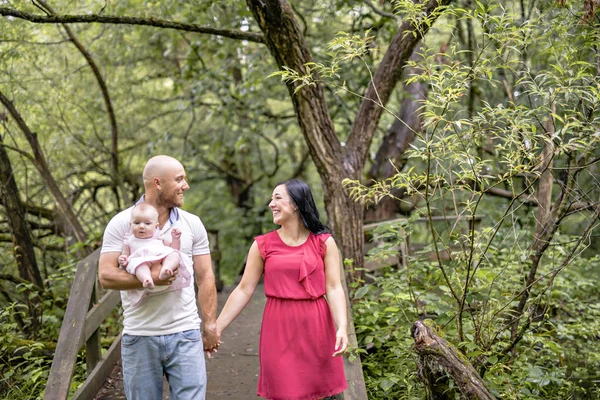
(180, 357)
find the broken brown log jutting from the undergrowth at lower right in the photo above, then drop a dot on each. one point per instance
(435, 353)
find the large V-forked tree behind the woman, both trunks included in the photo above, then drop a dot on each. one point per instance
(335, 162)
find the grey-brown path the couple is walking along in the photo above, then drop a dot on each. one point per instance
(233, 370)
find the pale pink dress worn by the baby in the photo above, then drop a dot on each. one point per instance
(150, 251)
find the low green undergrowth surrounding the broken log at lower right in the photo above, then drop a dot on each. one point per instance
(556, 359)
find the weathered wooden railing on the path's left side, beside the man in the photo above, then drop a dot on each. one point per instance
(83, 317)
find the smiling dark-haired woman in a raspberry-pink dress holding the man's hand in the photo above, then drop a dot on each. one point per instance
(300, 347)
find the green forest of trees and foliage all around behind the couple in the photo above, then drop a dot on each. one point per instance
(453, 147)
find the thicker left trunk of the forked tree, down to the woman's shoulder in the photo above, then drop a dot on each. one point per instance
(284, 39)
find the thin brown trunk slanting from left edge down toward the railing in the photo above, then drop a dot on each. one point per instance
(42, 167)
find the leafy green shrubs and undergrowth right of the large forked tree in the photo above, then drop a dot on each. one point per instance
(471, 252)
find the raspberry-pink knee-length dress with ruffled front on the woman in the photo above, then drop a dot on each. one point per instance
(297, 336)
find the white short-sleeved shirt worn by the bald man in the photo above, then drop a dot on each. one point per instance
(171, 312)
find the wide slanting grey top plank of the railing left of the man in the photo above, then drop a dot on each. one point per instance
(71, 332)
